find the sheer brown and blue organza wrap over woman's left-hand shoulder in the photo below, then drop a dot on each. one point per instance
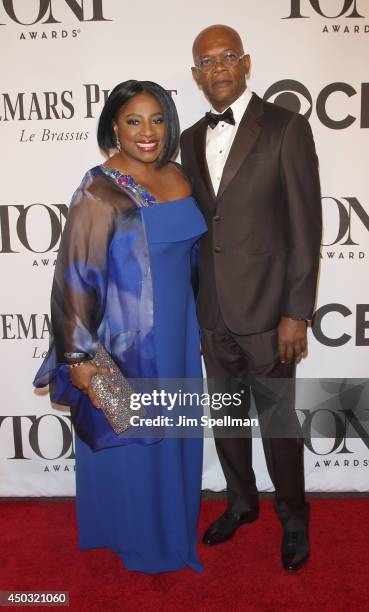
(102, 292)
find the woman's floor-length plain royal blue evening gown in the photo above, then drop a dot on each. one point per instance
(142, 501)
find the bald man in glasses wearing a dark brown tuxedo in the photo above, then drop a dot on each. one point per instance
(255, 174)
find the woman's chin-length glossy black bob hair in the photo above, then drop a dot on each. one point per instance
(120, 95)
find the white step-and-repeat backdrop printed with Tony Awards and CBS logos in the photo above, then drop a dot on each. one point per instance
(60, 58)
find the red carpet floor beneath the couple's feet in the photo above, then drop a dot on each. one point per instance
(38, 552)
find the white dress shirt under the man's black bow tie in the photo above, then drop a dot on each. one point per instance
(219, 140)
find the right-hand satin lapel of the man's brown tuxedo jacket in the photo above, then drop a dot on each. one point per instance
(247, 134)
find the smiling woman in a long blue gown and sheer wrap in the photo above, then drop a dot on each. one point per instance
(123, 279)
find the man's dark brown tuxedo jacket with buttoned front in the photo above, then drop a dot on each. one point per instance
(259, 260)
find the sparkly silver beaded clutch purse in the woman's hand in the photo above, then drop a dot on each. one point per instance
(113, 393)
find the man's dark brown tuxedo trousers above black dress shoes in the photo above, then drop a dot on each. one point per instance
(247, 364)
